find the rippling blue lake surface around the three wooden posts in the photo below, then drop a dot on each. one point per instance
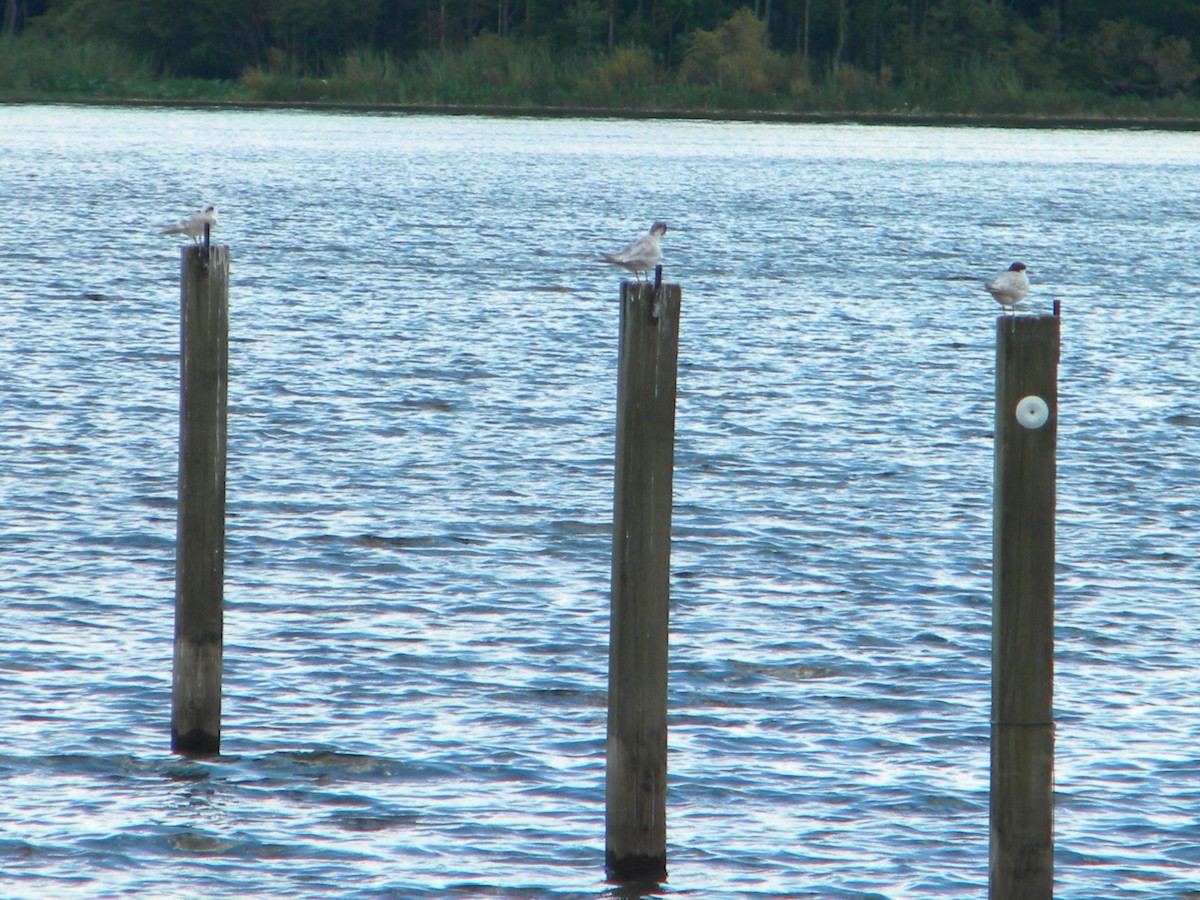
(421, 497)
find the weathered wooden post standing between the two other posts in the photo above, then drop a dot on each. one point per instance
(635, 827)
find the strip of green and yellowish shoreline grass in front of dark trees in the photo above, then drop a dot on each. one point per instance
(501, 77)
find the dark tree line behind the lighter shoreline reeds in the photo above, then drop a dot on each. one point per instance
(1118, 47)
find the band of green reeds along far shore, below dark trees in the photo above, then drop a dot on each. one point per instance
(494, 71)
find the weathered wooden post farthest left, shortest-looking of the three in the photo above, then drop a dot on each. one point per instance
(200, 541)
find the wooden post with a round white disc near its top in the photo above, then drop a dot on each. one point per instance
(1022, 854)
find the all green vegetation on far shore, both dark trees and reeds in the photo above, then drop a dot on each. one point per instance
(1042, 58)
